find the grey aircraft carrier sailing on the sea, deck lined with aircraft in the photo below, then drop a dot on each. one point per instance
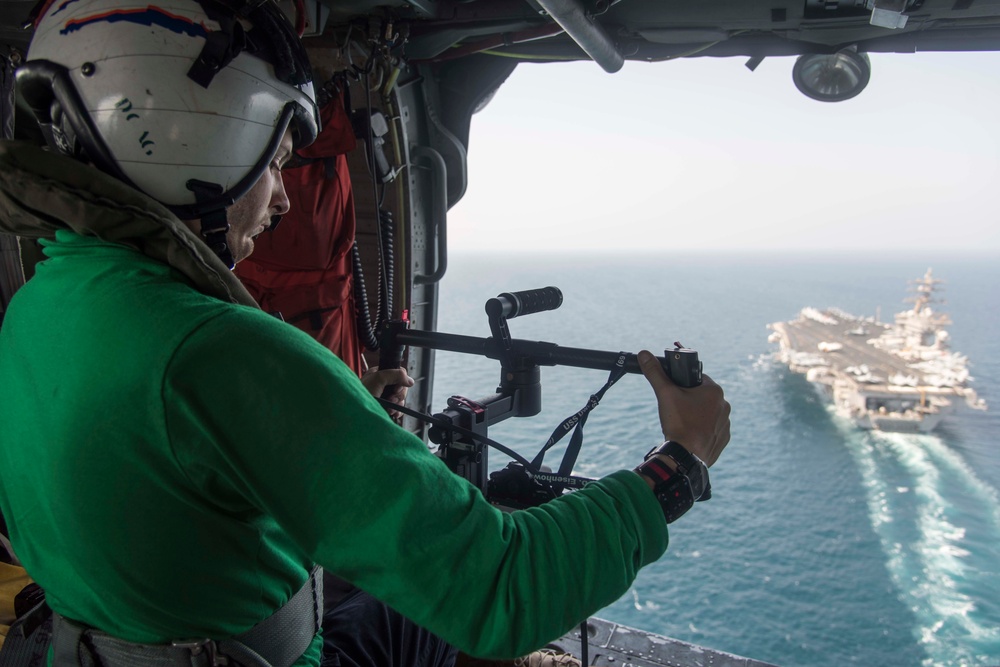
(898, 377)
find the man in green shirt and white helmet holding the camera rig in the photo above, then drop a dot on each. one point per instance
(173, 460)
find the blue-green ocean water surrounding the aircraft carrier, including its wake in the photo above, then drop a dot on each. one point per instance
(823, 545)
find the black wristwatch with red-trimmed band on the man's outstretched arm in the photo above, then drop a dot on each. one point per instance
(676, 490)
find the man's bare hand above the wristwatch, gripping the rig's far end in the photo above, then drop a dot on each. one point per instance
(698, 418)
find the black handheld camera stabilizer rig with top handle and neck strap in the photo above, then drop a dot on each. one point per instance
(461, 429)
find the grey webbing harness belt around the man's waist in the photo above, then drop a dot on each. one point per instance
(277, 641)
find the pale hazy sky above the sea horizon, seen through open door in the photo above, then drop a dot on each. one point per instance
(705, 154)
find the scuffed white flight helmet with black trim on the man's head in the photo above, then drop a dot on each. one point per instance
(186, 100)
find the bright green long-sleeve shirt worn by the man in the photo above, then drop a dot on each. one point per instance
(172, 464)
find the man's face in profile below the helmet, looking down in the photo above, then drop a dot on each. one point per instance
(251, 214)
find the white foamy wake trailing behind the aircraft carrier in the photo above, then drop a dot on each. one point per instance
(922, 535)
